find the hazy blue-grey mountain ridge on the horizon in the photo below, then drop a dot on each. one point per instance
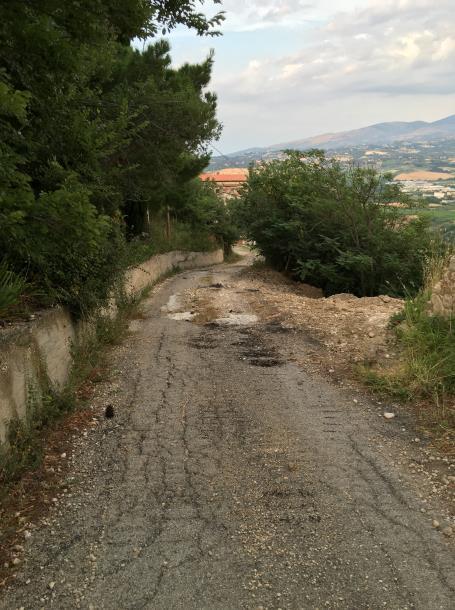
(381, 134)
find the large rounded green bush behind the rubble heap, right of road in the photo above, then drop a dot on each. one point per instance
(330, 227)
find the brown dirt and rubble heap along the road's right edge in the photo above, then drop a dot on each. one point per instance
(344, 329)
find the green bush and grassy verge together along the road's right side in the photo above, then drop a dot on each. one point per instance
(331, 227)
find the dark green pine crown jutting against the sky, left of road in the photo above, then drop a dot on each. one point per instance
(175, 120)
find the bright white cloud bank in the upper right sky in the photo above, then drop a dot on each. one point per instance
(395, 53)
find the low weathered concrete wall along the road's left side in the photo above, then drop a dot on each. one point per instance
(43, 346)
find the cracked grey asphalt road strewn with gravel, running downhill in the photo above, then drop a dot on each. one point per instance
(230, 478)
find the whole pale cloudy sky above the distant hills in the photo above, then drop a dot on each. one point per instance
(288, 69)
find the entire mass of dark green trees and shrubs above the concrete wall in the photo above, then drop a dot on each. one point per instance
(100, 145)
